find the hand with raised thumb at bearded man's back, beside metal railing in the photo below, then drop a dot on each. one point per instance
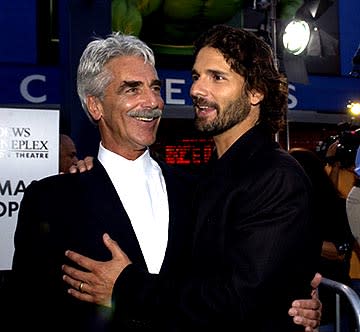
(308, 312)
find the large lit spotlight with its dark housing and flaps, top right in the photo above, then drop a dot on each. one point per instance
(309, 41)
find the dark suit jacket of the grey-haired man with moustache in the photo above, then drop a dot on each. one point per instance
(72, 211)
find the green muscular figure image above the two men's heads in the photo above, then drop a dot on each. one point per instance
(177, 23)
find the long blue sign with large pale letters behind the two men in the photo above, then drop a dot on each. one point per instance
(41, 85)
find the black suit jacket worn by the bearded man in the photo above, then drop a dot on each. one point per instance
(254, 247)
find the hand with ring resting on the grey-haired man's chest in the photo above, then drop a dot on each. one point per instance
(97, 284)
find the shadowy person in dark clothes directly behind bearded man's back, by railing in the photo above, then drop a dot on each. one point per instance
(330, 213)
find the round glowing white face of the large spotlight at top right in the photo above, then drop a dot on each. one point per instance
(296, 36)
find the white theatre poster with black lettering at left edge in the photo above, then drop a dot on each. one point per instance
(29, 150)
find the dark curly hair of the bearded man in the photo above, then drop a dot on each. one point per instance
(252, 58)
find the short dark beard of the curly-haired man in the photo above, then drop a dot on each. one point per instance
(234, 113)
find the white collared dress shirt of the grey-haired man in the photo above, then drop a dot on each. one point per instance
(141, 187)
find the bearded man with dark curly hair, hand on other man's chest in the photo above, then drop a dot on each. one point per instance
(254, 244)
